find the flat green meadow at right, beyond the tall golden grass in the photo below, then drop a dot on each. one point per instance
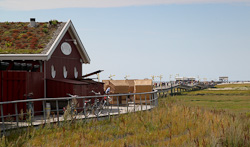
(233, 100)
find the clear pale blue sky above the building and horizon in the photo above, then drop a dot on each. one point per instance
(190, 39)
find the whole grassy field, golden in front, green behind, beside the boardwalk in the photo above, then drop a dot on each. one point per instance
(210, 119)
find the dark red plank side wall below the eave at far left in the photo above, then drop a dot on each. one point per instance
(17, 83)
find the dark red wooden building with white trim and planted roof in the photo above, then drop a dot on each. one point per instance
(44, 59)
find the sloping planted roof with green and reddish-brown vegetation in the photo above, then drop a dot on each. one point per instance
(20, 38)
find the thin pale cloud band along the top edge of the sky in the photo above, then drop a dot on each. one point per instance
(53, 4)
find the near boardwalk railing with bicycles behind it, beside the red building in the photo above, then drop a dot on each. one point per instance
(43, 110)
